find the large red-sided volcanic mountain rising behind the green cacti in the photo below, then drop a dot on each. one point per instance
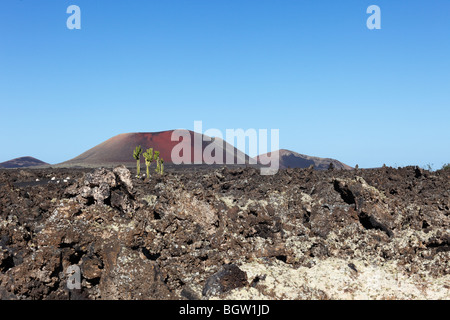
(119, 149)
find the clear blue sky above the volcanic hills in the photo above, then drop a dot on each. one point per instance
(311, 69)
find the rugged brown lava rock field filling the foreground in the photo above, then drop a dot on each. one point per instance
(225, 234)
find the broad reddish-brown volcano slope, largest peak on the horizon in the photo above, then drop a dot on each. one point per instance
(119, 149)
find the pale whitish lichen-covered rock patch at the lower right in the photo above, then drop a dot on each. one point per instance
(332, 278)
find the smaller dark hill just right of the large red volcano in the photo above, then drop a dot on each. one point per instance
(291, 159)
